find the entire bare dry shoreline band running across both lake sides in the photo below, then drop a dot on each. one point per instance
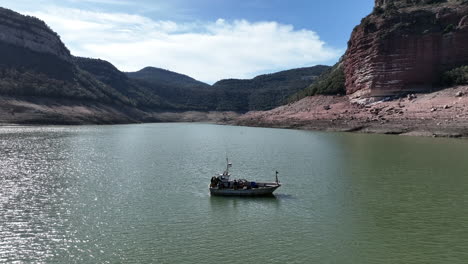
(442, 114)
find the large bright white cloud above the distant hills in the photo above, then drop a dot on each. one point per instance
(206, 51)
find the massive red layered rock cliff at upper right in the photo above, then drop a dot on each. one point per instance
(404, 45)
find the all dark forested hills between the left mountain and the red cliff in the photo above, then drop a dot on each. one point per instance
(162, 89)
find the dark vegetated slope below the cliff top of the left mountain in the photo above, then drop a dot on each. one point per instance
(27, 73)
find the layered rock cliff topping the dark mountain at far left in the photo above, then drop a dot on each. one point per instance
(31, 33)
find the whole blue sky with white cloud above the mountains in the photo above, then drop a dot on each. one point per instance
(208, 40)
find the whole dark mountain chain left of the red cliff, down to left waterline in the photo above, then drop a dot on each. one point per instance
(53, 86)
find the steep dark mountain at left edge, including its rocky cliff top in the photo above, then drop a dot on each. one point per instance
(34, 62)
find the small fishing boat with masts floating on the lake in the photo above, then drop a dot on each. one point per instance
(221, 185)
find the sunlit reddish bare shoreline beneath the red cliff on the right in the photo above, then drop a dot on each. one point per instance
(442, 114)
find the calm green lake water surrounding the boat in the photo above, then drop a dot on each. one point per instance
(139, 194)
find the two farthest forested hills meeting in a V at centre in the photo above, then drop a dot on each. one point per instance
(260, 93)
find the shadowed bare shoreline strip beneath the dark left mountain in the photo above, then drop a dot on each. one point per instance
(47, 111)
